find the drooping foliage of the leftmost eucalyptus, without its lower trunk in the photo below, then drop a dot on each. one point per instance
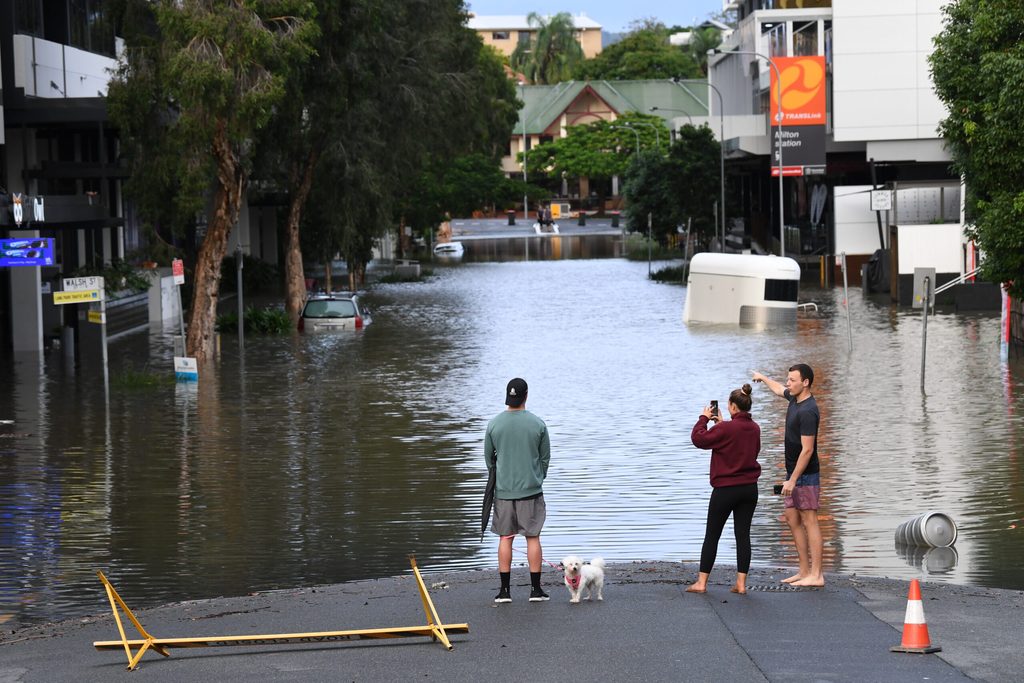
(191, 71)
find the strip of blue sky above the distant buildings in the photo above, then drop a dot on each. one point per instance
(614, 16)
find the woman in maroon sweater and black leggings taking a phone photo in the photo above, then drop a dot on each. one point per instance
(735, 472)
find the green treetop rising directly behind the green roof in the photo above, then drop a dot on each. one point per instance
(645, 54)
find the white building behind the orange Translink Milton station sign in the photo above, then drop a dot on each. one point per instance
(881, 132)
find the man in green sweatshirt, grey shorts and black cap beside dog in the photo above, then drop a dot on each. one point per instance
(517, 445)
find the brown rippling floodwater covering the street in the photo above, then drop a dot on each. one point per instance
(319, 459)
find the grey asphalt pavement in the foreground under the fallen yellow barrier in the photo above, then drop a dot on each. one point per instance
(647, 629)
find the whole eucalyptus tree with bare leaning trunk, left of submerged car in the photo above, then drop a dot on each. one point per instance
(214, 71)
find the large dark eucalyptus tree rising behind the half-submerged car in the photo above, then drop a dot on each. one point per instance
(396, 87)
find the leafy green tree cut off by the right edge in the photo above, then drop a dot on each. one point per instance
(978, 71)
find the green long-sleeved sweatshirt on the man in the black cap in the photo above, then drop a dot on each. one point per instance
(521, 440)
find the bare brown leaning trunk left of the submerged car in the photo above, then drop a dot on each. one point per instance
(228, 201)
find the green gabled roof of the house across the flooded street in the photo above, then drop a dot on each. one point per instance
(544, 104)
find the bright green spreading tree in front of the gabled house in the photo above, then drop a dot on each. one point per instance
(599, 150)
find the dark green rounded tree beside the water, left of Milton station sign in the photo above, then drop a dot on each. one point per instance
(678, 188)
